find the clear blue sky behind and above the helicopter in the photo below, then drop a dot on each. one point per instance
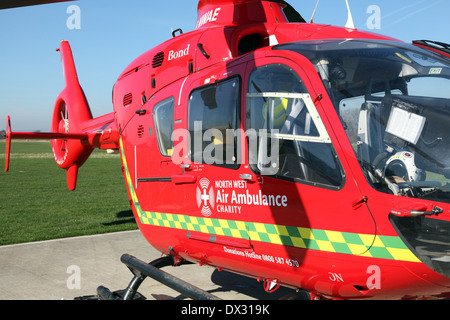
(113, 33)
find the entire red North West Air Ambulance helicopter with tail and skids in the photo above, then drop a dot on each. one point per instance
(302, 155)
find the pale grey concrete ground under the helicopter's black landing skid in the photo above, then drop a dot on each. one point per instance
(66, 269)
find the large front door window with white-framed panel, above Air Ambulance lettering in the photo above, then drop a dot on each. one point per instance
(286, 136)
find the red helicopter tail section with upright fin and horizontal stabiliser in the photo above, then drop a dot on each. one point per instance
(74, 133)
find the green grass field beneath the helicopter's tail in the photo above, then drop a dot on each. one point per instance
(35, 203)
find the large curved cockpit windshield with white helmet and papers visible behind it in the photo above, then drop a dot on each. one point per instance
(393, 100)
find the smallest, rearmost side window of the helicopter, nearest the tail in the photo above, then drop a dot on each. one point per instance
(163, 115)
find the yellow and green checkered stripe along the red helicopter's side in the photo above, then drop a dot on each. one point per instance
(368, 245)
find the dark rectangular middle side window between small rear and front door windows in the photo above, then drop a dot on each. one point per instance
(213, 119)
